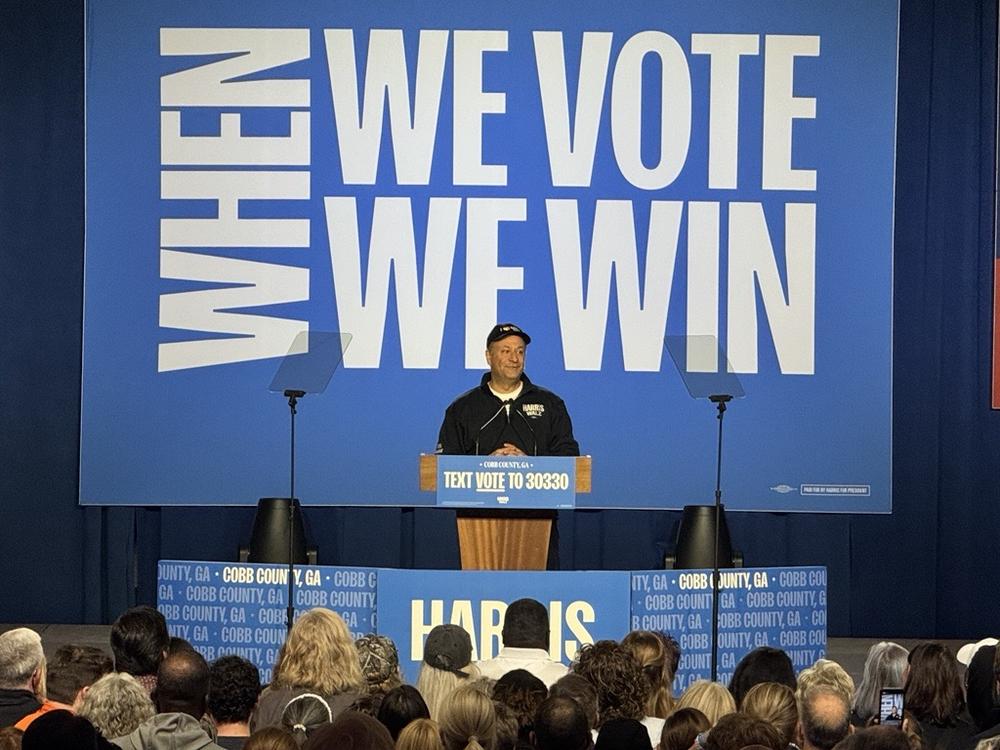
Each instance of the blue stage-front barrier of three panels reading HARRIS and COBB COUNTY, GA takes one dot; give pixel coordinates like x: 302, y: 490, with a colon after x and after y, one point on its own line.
x: 231, y: 608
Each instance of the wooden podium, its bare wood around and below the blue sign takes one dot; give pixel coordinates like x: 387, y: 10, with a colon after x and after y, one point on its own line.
x: 503, y: 539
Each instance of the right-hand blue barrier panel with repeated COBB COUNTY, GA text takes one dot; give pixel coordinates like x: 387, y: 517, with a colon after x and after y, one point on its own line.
x: 780, y: 607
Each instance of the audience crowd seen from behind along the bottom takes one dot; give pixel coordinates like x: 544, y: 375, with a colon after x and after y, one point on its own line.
x: 330, y: 691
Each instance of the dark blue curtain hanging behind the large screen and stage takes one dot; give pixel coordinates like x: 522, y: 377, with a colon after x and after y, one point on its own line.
x: 922, y: 571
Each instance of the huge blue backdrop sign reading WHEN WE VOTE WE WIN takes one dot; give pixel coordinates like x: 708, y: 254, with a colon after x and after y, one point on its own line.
x: 604, y: 175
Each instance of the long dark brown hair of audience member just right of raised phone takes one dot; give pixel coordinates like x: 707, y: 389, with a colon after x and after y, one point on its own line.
x: 933, y: 689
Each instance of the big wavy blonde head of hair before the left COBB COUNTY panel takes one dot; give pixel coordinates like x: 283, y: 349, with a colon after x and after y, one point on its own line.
x: 319, y: 655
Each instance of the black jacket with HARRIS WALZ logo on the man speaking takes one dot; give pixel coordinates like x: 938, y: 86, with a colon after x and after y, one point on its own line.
x: 537, y: 423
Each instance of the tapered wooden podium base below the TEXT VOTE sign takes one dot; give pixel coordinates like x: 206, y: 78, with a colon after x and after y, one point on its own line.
x: 500, y: 541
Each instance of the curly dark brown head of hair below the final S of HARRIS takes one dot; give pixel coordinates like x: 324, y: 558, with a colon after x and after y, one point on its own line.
x: 620, y: 685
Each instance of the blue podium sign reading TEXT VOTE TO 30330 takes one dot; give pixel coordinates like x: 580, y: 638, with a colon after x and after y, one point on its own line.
x: 506, y: 481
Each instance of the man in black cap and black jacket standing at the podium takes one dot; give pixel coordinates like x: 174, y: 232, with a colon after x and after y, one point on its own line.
x: 507, y: 414
